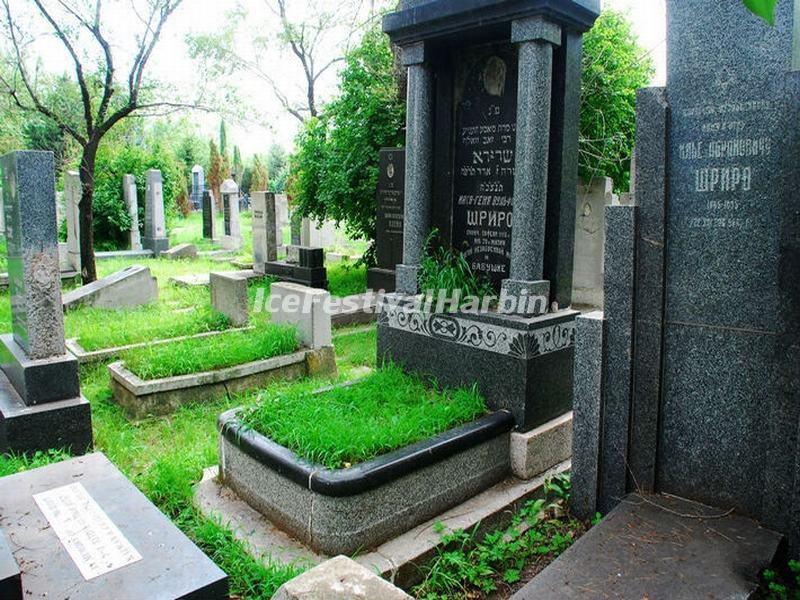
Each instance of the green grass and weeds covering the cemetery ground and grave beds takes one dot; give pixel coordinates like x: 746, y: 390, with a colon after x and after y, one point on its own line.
x: 165, y: 457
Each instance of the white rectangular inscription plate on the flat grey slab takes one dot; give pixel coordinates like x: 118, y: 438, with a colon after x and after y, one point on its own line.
x: 93, y: 542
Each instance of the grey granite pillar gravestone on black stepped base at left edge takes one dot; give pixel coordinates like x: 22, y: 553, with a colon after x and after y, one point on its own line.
x: 41, y: 406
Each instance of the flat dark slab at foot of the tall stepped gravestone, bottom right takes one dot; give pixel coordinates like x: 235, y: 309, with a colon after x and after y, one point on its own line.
x: 661, y: 548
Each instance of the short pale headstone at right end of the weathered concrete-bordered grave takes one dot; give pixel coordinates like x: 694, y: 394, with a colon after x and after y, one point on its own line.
x: 305, y: 307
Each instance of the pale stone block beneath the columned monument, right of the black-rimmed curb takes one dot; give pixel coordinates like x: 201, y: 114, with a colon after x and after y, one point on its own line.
x: 539, y: 450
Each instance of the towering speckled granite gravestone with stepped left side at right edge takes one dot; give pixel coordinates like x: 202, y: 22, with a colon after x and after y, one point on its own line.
x: 698, y: 389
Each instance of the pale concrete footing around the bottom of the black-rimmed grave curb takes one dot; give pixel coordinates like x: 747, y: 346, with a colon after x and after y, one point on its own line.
x: 398, y: 559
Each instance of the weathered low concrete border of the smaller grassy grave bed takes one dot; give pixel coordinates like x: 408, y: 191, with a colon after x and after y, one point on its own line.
x: 157, y: 397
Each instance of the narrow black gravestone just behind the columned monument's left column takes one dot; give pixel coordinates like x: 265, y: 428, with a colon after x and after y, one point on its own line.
x: 389, y: 222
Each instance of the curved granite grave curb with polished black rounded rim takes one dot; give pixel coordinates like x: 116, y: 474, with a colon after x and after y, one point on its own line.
x: 345, y: 510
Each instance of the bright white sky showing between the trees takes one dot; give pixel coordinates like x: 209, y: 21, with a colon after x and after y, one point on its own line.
x: 172, y: 64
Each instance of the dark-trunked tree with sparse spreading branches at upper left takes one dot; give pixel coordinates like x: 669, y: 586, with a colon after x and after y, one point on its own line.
x: 104, y: 101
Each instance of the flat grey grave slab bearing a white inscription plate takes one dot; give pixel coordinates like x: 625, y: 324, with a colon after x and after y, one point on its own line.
x: 82, y: 530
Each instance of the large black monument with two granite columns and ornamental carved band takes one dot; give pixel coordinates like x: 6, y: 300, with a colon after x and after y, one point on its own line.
x: 491, y: 165
